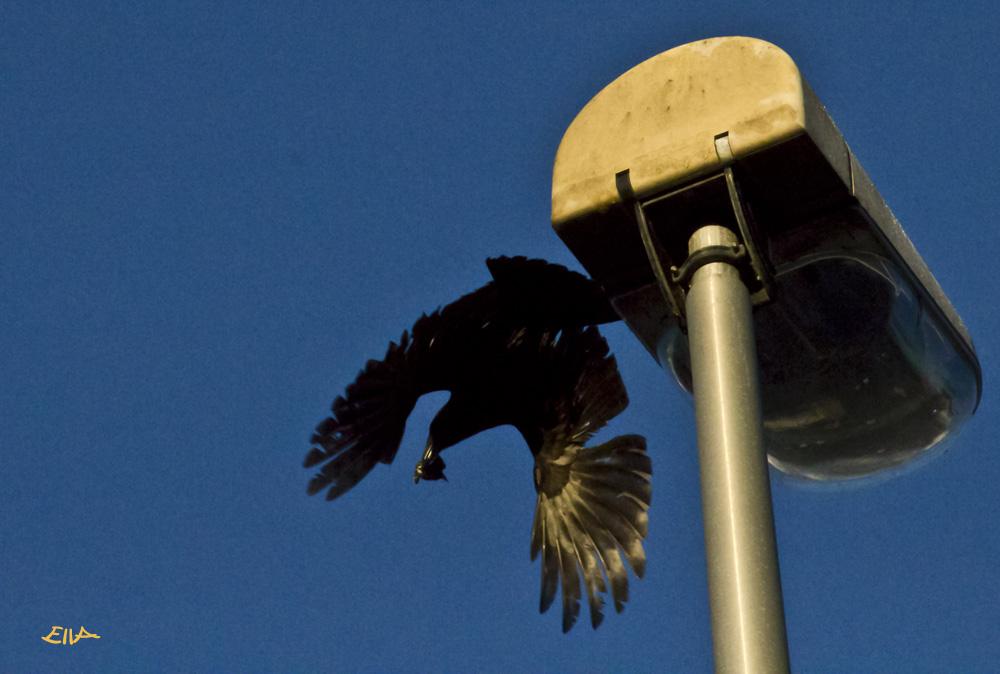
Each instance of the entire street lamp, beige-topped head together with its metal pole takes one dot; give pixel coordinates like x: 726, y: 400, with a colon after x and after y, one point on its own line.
x: 712, y: 196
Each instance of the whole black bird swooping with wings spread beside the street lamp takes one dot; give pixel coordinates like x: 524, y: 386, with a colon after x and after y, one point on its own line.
x: 517, y: 351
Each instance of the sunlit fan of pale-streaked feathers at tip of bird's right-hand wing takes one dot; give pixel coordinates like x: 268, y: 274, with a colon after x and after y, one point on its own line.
x: 589, y: 511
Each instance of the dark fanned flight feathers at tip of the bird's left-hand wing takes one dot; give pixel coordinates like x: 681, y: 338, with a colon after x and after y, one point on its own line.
x: 366, y: 426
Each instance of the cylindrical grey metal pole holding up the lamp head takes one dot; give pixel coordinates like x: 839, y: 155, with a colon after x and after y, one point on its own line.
x: 744, y: 583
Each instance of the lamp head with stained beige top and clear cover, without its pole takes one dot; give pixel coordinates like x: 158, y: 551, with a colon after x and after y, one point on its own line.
x: 864, y: 364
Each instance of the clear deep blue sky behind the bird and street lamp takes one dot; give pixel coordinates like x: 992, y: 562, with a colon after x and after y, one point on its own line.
x: 212, y: 214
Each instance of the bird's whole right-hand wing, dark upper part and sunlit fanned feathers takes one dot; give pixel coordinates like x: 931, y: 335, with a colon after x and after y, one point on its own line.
x: 592, y: 501
